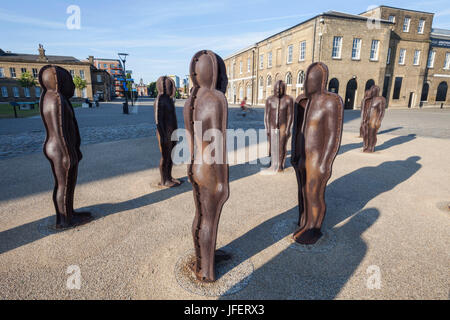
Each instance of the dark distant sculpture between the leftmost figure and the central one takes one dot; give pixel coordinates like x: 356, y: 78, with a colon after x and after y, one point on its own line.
x: 166, y: 124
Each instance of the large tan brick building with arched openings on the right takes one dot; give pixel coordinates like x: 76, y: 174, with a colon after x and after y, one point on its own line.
x: 385, y: 46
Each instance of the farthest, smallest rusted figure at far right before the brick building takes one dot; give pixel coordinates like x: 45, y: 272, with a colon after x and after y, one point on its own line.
x: 374, y: 116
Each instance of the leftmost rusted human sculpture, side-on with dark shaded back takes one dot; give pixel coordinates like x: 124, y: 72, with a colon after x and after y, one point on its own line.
x: 62, y: 143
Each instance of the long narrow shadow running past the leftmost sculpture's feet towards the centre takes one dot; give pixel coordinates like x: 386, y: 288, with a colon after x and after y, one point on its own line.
x: 27, y: 233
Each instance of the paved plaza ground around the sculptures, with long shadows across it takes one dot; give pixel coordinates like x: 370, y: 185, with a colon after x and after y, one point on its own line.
x: 387, y: 215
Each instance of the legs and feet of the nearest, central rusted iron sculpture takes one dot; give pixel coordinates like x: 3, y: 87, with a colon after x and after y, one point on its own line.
x: 204, y: 230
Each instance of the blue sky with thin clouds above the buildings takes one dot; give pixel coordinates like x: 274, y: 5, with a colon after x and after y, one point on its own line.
x: 162, y: 36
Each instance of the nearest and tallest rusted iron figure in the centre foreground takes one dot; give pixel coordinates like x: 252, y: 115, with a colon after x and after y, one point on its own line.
x: 207, y: 108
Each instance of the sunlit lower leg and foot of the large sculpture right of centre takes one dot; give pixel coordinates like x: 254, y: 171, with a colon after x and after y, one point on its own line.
x: 315, y: 207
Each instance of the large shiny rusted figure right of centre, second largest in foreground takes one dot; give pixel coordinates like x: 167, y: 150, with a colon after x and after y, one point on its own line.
x: 317, y: 132
